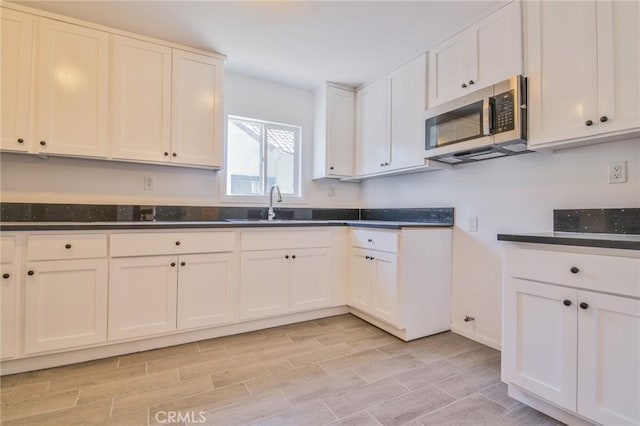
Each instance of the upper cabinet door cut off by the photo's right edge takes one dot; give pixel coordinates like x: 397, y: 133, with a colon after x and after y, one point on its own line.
x: 618, y: 65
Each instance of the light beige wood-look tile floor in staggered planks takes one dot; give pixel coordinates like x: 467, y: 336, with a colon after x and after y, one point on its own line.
x: 337, y: 370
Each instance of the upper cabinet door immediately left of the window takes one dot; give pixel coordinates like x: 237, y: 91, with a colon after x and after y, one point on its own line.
x: 196, y: 121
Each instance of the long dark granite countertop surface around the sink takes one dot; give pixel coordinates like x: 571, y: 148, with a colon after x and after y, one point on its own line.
x: 232, y: 223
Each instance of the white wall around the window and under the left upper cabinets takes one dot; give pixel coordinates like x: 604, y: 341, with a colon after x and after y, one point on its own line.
x: 71, y: 180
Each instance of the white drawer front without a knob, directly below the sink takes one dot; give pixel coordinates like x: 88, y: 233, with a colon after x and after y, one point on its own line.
x: 279, y: 240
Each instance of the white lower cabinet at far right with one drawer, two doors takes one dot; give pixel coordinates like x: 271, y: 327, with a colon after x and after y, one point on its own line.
x: 566, y: 338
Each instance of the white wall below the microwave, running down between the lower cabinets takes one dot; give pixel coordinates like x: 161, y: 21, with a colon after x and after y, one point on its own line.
x: 509, y: 195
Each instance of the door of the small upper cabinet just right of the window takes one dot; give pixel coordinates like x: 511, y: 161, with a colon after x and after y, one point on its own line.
x: 340, y: 132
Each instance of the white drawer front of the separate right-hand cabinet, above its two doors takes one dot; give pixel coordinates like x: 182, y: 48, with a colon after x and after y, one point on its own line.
x: 611, y: 274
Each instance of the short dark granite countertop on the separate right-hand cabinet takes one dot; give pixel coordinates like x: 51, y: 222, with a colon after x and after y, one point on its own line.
x: 603, y: 240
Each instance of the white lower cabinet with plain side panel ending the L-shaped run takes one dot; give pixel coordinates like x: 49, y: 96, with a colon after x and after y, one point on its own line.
x: 395, y: 287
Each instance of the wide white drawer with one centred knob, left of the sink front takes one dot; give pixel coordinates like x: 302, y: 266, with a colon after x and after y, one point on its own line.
x: 158, y: 243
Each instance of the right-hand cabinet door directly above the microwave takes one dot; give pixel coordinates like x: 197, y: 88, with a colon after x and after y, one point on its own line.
x: 497, y: 41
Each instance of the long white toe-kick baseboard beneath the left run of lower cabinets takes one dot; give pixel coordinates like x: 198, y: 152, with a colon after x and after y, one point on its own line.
x: 108, y: 349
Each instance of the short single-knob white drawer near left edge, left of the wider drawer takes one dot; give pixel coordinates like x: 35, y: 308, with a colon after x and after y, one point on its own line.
x: 71, y: 246
